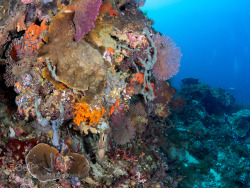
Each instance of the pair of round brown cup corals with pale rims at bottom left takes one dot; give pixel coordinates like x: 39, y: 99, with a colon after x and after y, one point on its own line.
x: 45, y: 162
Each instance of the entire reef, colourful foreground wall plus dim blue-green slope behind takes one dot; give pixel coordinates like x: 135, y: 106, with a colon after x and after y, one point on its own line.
x: 85, y: 101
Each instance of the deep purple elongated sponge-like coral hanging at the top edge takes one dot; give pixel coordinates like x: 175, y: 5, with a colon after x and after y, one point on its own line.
x: 86, y: 13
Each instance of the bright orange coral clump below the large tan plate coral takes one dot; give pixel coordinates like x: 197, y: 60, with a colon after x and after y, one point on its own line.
x: 86, y: 114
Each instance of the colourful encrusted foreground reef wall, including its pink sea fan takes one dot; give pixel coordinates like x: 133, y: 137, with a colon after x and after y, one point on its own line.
x: 84, y: 81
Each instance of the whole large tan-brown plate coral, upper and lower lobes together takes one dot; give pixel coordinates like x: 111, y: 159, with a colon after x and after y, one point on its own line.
x: 81, y: 66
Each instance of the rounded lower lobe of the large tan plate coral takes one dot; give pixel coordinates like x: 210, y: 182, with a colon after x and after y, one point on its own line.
x: 83, y: 68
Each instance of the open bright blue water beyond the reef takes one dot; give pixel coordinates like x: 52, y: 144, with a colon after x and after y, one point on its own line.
x: 214, y: 36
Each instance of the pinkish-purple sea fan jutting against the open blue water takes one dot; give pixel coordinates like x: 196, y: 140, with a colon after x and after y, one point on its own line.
x: 168, y: 57
